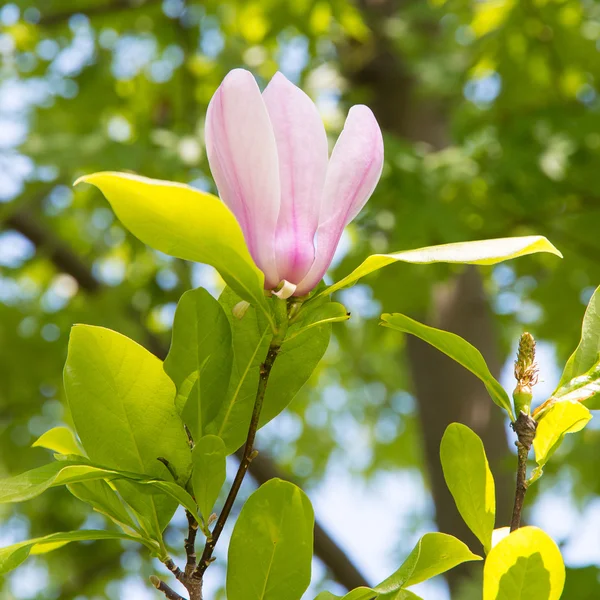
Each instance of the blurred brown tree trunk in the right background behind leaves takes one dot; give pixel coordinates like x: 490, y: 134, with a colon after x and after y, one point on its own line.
x: 445, y: 392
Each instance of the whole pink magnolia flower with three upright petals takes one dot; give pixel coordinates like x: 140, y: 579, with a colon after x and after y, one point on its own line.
x: 268, y: 155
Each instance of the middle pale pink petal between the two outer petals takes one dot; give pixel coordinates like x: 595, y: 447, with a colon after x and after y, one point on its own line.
x: 303, y: 154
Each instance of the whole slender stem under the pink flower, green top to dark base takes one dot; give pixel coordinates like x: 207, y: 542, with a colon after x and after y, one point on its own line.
x: 281, y: 317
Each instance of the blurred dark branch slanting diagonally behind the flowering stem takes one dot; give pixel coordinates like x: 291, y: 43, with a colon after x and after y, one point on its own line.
x: 262, y: 468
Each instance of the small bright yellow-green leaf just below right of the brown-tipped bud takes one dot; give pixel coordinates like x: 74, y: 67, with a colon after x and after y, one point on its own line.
x: 560, y: 419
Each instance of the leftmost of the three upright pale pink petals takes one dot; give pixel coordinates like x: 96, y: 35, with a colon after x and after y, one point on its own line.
x: 242, y: 154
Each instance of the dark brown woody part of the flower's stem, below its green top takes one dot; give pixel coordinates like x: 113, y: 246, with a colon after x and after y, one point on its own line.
x: 248, y: 455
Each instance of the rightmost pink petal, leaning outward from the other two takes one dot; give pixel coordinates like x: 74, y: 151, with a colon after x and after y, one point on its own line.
x: 353, y: 173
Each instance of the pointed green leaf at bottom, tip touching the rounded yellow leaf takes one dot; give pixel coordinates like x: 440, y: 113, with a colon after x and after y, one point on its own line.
x: 434, y: 553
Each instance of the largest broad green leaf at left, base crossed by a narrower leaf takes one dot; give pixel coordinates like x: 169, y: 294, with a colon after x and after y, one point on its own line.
x: 122, y: 403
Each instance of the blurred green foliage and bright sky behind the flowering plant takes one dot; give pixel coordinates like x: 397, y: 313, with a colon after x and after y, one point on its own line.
x: 491, y: 117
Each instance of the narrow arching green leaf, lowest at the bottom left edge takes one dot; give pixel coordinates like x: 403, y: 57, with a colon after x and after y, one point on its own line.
x: 12, y: 556
